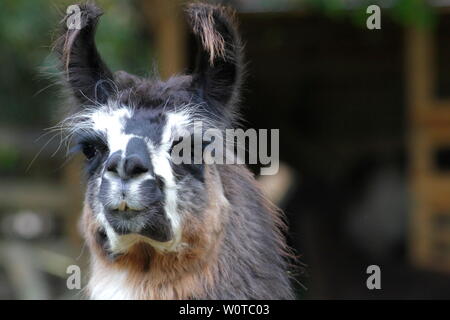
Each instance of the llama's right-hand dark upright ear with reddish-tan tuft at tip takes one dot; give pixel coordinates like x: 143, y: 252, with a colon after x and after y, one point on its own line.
x: 218, y: 69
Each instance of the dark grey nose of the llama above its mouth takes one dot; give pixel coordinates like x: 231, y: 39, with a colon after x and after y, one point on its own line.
x: 132, y: 166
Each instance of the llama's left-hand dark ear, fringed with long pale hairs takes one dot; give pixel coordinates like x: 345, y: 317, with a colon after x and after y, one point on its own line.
x: 86, y: 74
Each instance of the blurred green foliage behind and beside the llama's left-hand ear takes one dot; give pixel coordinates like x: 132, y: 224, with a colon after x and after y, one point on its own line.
x: 27, y: 30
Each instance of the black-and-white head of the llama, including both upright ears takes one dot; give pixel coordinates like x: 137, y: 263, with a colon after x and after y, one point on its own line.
x: 127, y: 127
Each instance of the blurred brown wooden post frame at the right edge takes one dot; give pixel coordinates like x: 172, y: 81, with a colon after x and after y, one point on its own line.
x: 429, y: 139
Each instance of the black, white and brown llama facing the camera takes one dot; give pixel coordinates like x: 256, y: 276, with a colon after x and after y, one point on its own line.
x: 155, y: 229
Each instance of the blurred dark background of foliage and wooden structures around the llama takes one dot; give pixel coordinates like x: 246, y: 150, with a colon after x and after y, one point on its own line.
x: 364, y: 119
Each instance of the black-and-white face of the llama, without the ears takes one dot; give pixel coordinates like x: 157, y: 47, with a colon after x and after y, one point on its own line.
x: 139, y: 193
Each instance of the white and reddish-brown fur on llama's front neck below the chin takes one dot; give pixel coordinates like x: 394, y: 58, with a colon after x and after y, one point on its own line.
x: 167, y: 277
